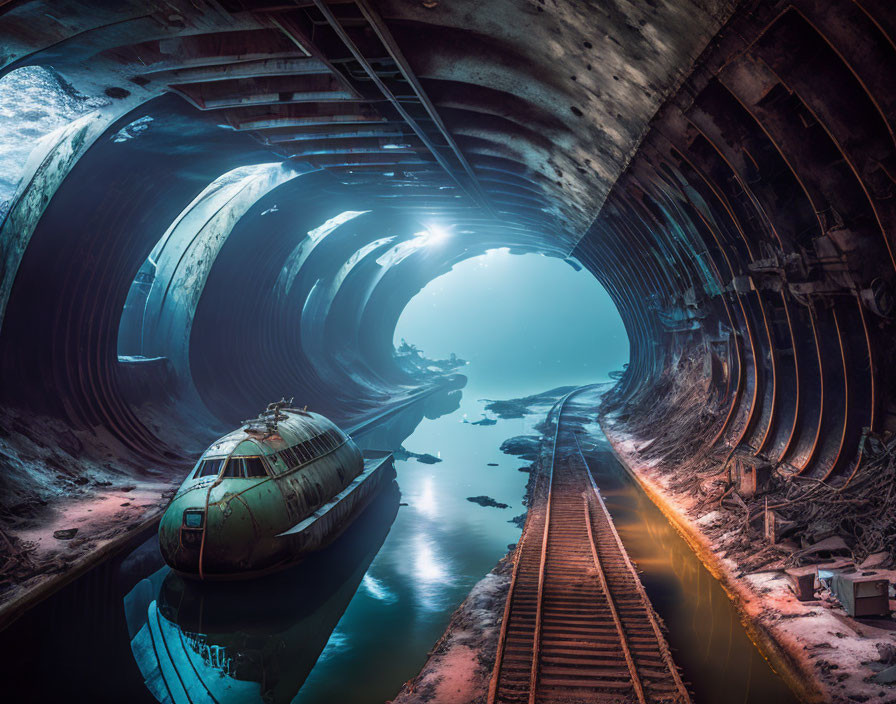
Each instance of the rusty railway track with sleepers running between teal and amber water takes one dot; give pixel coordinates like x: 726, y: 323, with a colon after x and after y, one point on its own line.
x: 578, y: 626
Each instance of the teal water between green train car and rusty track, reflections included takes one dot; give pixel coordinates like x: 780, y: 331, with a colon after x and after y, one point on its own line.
x: 354, y: 621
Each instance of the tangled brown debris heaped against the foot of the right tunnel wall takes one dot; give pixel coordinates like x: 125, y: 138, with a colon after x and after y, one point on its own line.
x: 782, y: 518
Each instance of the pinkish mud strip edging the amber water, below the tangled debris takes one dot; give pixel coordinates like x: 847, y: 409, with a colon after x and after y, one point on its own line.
x: 823, y: 654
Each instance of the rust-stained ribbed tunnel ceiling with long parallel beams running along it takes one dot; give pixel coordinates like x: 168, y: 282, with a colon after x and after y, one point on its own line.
x: 526, y: 111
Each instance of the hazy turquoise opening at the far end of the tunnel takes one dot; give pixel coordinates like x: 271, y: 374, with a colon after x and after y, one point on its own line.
x: 526, y: 323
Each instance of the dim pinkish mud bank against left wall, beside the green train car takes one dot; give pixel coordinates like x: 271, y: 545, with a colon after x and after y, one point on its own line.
x: 68, y: 501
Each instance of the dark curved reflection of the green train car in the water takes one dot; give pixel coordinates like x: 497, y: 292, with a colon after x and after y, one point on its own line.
x: 221, y: 643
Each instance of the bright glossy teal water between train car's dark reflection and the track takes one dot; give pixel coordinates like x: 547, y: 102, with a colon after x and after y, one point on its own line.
x: 439, y: 546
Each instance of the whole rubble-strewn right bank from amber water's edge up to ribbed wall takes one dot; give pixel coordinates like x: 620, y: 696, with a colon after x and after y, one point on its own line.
x: 759, y: 530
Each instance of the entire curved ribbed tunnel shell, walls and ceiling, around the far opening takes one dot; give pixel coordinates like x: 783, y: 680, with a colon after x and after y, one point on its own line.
x: 735, y: 162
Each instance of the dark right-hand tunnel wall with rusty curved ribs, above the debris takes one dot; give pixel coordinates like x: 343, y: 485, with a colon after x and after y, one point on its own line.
x: 763, y: 211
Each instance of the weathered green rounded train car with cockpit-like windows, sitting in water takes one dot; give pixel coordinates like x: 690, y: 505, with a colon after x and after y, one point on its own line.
x: 264, y: 496
